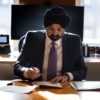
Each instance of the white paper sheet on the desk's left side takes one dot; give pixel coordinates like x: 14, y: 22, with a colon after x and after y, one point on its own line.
x: 18, y: 89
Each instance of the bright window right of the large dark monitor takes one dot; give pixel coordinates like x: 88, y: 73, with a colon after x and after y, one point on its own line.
x: 92, y: 21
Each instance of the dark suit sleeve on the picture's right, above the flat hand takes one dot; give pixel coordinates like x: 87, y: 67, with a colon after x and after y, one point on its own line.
x: 80, y: 68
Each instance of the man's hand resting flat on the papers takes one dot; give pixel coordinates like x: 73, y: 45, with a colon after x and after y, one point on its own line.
x: 60, y: 79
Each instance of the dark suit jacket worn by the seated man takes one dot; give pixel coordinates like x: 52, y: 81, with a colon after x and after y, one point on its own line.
x: 32, y: 54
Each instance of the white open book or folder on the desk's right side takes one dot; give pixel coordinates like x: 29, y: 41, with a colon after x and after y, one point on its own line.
x: 85, y: 85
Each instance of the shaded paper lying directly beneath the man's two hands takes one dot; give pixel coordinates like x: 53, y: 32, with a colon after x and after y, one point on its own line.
x: 47, y: 84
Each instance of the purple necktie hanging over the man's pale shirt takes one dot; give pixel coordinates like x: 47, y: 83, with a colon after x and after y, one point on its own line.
x: 52, y: 62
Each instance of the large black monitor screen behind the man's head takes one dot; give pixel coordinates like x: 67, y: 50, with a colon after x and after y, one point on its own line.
x: 30, y: 17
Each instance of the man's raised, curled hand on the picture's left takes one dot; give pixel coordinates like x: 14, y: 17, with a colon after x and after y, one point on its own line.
x: 33, y: 73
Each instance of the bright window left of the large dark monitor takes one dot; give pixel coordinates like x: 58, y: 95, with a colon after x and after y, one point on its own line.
x: 5, y: 16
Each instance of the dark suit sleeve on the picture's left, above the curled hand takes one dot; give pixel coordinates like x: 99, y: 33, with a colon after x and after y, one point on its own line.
x: 21, y: 63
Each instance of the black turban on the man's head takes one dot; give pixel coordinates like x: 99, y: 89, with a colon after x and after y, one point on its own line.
x: 56, y: 15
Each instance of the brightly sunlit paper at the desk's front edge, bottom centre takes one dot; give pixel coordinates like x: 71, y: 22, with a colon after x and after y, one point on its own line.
x: 51, y: 96
